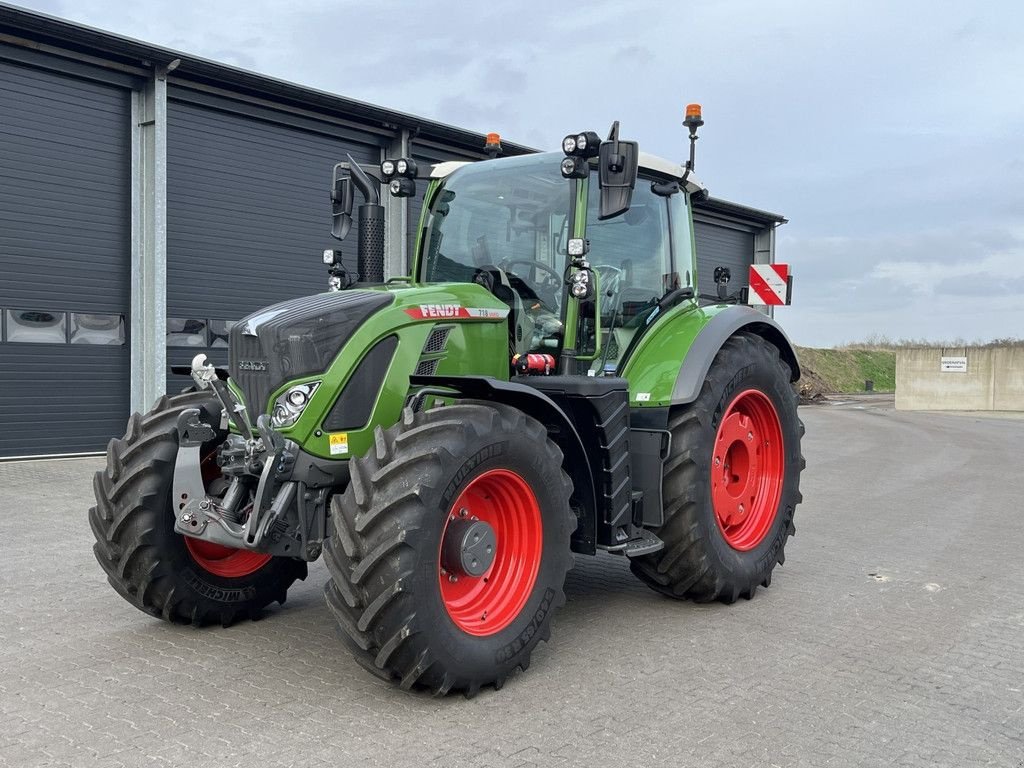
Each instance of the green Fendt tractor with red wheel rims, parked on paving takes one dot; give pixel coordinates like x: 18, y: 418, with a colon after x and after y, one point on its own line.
x: 547, y: 381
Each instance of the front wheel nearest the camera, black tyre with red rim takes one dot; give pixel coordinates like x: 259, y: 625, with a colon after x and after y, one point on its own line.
x: 450, y: 547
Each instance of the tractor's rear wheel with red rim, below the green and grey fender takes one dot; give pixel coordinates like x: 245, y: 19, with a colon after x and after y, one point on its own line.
x: 732, y: 482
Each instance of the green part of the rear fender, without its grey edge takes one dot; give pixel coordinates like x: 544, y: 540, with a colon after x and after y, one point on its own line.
x: 654, y: 367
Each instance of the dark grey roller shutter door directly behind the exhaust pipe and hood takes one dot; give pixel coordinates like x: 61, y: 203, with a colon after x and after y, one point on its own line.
x: 248, y: 218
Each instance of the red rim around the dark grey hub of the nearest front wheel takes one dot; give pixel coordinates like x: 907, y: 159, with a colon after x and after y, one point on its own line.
x: 487, y: 605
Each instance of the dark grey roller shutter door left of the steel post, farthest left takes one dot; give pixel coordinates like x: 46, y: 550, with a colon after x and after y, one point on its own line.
x: 65, y: 235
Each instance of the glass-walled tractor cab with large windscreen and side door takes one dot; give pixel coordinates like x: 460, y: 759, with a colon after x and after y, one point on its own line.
x: 506, y: 226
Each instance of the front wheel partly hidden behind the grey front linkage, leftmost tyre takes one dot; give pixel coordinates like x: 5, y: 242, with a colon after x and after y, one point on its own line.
x: 158, y: 571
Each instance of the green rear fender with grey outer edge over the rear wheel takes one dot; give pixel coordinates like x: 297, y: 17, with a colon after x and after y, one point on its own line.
x: 672, y: 360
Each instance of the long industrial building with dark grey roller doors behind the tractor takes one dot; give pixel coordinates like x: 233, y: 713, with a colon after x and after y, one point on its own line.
x: 150, y: 198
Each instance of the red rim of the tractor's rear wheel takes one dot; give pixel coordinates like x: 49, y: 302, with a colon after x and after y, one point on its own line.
x: 748, y: 471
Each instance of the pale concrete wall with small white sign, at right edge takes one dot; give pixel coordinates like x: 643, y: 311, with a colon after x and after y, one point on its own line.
x: 994, y: 380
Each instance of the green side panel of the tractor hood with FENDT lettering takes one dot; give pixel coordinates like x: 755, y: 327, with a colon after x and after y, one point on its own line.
x: 476, y: 348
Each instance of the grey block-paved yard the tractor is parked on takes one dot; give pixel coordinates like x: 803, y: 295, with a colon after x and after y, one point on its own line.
x: 893, y: 636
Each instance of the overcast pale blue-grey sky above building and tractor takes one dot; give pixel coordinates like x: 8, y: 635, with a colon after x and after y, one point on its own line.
x: 890, y: 134
